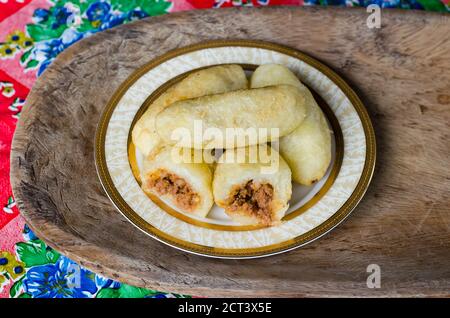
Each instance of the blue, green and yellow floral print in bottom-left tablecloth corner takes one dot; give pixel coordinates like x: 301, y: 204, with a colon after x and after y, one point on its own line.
x: 46, y: 274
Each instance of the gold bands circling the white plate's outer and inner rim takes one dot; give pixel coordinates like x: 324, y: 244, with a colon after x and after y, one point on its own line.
x: 298, y: 241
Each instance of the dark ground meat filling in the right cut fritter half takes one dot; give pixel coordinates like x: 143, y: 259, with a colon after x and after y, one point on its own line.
x: 253, y: 198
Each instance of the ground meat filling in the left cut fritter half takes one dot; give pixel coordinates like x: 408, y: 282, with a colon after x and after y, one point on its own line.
x: 166, y: 183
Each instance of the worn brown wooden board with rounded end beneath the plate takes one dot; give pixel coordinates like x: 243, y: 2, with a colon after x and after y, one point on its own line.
x: 401, y: 72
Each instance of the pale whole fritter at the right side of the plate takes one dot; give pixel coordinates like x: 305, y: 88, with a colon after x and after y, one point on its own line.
x: 307, y: 149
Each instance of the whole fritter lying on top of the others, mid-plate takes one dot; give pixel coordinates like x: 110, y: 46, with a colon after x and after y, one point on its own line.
x: 279, y: 109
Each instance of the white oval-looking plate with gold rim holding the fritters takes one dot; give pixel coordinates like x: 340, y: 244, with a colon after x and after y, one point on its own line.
x: 313, y: 210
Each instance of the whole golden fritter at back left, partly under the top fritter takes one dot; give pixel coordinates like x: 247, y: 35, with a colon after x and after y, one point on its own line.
x: 212, y: 80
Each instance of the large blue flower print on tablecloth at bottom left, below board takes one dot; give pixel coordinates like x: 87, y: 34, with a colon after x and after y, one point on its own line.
x: 64, y: 279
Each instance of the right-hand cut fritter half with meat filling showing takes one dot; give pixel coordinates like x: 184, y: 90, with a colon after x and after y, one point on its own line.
x: 249, y: 194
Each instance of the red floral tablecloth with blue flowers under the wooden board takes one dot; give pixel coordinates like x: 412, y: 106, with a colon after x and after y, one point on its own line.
x: 32, y: 34
